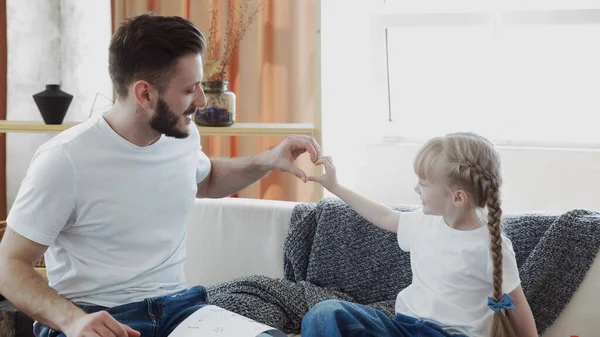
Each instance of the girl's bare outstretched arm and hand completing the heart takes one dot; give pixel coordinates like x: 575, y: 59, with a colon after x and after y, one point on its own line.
x: 374, y: 212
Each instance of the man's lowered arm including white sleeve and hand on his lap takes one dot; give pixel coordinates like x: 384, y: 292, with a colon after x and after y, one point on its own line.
x: 37, y: 217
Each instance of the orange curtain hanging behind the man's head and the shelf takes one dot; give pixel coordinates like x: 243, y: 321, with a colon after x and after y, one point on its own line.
x: 271, y: 75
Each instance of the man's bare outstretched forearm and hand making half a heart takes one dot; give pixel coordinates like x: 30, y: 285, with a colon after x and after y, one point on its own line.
x: 230, y: 175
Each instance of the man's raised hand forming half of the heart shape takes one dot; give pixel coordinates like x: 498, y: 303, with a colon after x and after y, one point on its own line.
x: 290, y: 149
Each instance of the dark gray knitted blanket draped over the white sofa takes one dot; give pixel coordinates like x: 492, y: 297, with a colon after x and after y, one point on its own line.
x: 333, y: 253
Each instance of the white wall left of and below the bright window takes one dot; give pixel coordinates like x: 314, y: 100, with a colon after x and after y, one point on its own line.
x: 534, y: 178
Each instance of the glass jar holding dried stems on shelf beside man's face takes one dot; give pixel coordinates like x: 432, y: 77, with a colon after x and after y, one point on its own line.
x: 220, y: 106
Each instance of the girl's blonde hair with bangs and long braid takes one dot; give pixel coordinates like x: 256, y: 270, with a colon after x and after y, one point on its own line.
x: 470, y: 162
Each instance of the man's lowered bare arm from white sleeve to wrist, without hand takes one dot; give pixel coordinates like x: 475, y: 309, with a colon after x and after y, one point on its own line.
x: 26, y: 289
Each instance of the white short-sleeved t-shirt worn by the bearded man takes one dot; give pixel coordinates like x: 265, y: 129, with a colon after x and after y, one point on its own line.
x: 112, y: 213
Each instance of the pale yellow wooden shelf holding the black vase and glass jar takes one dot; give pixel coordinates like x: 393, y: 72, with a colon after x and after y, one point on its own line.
x: 239, y: 129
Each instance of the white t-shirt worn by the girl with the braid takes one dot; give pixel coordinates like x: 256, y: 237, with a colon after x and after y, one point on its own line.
x: 452, y: 274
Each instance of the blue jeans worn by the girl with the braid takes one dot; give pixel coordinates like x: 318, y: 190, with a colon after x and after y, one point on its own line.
x: 339, y: 318
